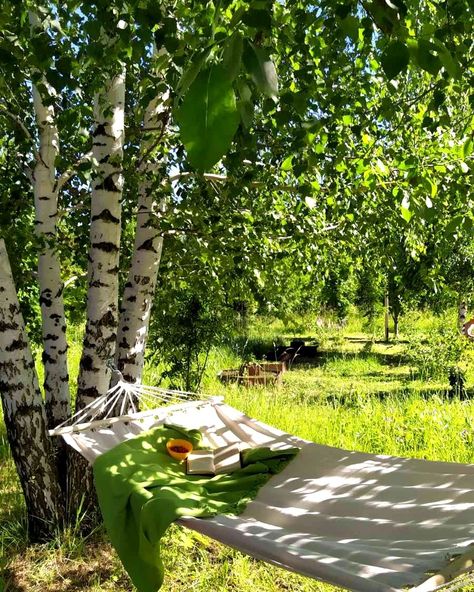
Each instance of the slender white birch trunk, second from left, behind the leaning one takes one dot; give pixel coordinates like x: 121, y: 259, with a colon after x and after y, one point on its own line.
x: 56, y: 377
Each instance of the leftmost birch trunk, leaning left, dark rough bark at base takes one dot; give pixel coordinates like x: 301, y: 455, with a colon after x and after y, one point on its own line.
x: 24, y: 413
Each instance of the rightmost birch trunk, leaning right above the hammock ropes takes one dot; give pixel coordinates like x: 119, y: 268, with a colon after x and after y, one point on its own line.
x: 137, y: 298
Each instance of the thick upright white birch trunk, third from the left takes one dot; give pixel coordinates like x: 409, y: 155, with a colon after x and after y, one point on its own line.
x: 102, y: 296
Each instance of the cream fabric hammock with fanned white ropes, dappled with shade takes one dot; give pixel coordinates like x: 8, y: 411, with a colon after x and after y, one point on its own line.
x: 361, y: 521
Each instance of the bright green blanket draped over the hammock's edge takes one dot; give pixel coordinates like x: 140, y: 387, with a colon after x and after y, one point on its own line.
x: 142, y: 490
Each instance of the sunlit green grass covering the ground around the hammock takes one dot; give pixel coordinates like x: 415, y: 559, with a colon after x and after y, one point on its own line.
x: 359, y: 395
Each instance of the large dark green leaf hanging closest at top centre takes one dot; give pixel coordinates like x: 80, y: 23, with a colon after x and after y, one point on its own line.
x: 208, y: 118
